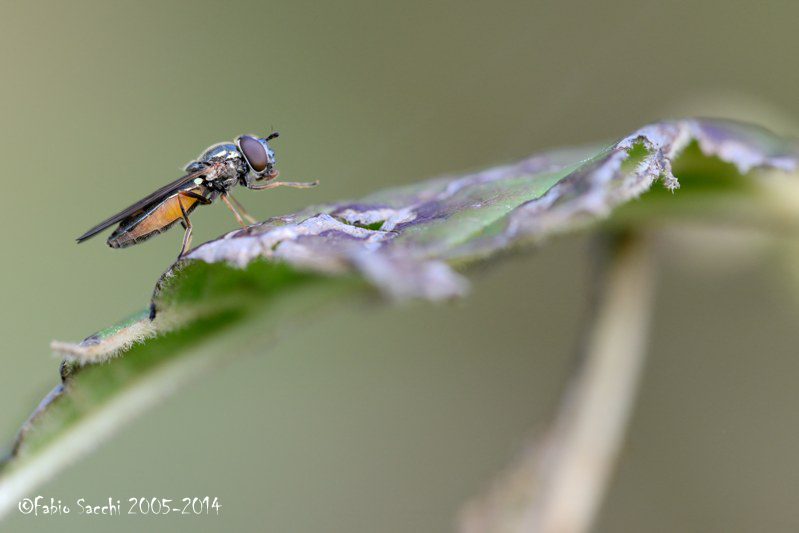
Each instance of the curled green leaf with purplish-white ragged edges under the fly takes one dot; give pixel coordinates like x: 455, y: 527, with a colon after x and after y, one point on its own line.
x: 231, y: 295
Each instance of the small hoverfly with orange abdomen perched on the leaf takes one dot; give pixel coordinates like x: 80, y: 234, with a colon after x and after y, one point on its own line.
x: 249, y: 162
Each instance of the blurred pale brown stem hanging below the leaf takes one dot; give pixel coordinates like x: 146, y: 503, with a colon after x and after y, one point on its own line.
x: 559, y: 483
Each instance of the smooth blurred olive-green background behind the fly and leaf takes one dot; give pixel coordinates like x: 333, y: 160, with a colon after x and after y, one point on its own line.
x: 389, y: 419
